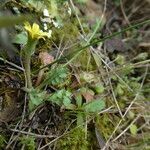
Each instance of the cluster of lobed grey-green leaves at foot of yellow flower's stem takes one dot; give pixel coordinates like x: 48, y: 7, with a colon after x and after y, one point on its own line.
x: 55, y: 77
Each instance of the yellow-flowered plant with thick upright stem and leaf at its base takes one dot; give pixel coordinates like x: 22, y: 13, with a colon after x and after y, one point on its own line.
x: 34, y: 34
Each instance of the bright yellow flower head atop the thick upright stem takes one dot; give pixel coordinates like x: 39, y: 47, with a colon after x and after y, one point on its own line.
x: 35, y: 32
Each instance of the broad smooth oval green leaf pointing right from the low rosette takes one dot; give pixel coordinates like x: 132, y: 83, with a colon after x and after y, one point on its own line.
x: 94, y: 106
